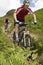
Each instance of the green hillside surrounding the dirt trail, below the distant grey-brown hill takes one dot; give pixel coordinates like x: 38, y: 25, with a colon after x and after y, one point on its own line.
x: 11, y: 54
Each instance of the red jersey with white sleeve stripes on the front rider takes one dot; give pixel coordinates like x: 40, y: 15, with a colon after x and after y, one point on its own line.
x: 21, y: 12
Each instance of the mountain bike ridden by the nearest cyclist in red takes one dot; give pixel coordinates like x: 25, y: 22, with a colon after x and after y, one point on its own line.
x: 24, y: 36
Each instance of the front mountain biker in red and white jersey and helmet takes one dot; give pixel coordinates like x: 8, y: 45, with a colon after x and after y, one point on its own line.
x: 19, y: 15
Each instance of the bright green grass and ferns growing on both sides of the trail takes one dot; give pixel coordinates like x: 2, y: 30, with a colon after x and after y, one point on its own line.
x: 11, y: 54
